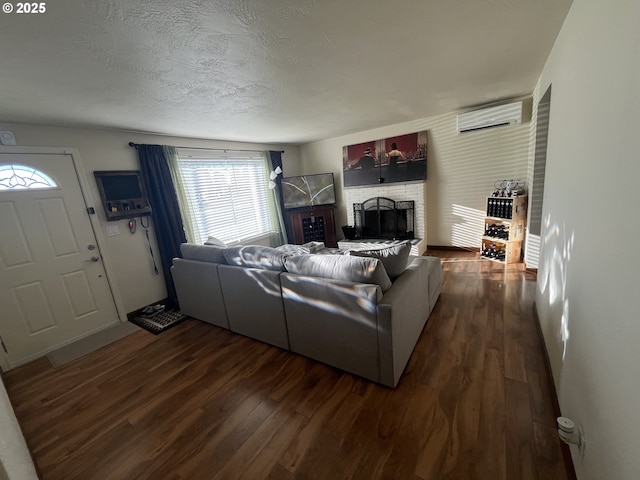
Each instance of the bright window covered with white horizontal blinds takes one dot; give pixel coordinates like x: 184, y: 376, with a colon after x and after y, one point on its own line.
x: 228, y: 197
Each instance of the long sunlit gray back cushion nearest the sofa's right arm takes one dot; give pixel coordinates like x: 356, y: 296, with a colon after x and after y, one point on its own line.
x: 340, y: 267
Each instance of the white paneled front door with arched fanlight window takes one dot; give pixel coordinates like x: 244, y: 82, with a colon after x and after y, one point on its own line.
x: 53, y: 286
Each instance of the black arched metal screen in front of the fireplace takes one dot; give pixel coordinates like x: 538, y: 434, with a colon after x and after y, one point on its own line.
x: 381, y: 217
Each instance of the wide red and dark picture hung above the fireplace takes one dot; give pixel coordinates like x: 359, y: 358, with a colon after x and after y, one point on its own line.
x: 396, y: 159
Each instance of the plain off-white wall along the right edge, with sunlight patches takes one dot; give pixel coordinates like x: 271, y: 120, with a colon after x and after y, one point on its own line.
x: 589, y: 269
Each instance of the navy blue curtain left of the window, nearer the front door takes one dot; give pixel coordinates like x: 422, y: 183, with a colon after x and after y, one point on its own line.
x: 167, y: 221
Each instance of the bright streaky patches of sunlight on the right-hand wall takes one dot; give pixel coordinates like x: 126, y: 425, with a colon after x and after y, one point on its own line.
x: 552, y: 285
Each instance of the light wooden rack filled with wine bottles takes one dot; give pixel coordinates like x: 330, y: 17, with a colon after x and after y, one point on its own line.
x: 505, y: 225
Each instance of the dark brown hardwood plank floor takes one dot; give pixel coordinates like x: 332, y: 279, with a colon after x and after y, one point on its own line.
x: 198, y: 402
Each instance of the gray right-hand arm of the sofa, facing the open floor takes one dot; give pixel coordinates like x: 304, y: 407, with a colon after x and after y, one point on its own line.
x: 403, y: 313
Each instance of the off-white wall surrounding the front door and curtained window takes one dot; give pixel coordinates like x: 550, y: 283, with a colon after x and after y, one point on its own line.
x: 108, y: 150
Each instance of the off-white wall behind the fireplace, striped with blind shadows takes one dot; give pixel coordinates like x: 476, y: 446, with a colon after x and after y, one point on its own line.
x: 461, y: 170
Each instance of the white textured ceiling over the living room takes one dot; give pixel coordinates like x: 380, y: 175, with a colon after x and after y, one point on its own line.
x: 289, y: 71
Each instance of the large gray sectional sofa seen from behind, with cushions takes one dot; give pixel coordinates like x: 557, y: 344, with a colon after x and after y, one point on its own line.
x: 361, y: 312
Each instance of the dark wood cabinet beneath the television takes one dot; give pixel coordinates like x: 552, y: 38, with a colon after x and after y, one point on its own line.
x: 315, y: 224
